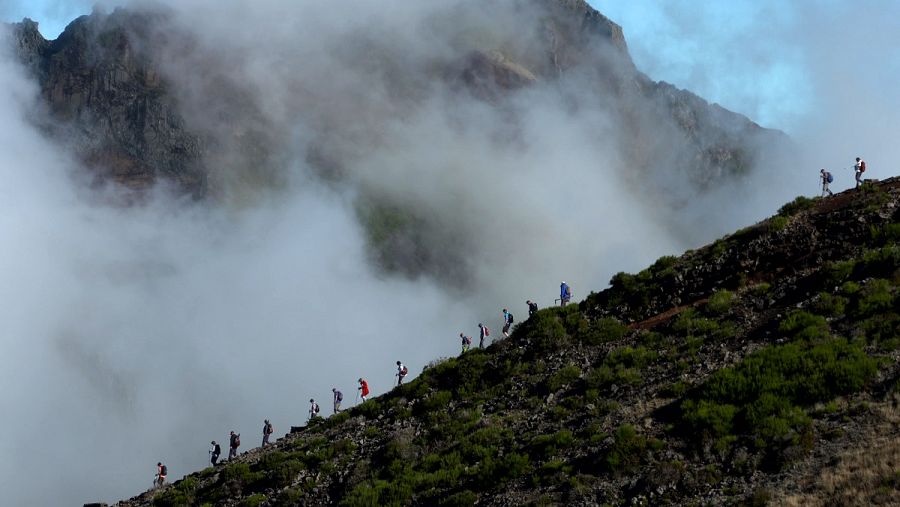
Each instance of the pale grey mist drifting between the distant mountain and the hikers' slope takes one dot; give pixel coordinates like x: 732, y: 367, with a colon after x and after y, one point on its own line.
x: 138, y: 334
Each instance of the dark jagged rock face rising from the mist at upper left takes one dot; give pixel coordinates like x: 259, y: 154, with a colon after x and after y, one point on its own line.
x: 108, y: 102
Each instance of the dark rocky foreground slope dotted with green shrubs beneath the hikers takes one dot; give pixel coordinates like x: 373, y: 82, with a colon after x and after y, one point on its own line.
x: 761, y: 367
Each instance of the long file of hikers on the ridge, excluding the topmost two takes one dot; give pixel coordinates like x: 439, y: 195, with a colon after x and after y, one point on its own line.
x: 362, y: 391
